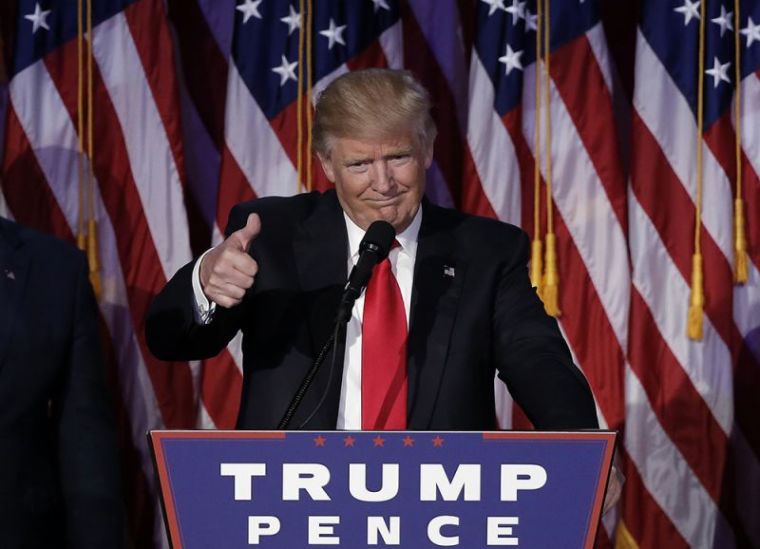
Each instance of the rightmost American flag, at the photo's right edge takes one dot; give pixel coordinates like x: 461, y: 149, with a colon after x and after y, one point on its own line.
x: 692, y: 424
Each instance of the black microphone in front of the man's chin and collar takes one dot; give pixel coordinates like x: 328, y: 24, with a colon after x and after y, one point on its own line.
x: 373, y: 249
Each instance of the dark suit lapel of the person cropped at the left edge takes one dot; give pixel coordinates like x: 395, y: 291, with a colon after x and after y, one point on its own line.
x: 14, y: 264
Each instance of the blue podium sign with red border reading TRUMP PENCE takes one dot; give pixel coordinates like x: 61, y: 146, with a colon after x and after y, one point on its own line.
x: 304, y: 489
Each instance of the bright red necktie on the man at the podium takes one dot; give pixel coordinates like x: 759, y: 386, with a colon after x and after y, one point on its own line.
x: 383, y: 352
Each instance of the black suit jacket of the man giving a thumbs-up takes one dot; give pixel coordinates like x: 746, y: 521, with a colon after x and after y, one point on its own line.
x: 463, y: 328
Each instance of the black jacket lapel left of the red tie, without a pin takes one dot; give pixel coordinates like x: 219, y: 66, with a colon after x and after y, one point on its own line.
x: 321, y: 261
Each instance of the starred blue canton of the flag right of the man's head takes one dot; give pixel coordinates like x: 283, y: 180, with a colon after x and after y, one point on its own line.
x: 506, y: 40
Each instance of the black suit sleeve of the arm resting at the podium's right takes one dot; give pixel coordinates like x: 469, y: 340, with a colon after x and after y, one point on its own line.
x: 532, y: 356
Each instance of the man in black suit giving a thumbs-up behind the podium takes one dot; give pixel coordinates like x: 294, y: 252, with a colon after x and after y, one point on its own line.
x: 279, y: 275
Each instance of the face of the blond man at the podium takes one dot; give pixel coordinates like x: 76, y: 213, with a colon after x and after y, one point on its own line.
x: 378, y: 179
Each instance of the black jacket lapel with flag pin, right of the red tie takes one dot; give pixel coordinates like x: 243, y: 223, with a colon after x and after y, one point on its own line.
x: 438, y: 276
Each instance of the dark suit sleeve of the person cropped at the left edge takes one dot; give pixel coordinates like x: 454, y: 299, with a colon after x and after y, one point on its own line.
x: 87, y: 444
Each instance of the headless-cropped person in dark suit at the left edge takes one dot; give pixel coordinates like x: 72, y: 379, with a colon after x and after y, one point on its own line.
x: 59, y: 475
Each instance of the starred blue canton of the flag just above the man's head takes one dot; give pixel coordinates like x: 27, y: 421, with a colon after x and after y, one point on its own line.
x: 265, y: 44
